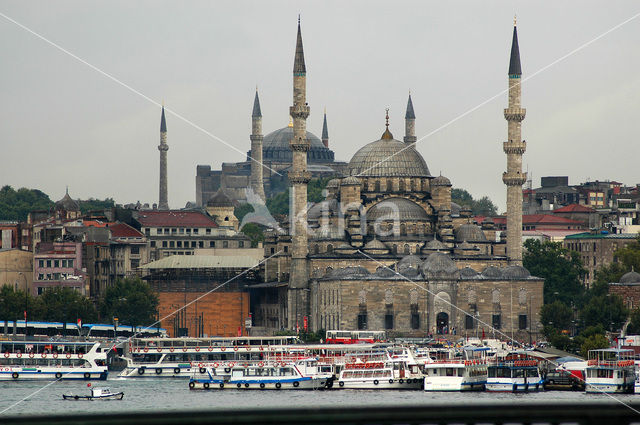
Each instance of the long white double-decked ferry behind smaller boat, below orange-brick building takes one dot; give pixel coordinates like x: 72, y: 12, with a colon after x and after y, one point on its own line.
x: 181, y: 357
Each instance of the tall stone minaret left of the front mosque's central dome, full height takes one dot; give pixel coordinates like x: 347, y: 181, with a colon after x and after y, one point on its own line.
x: 298, y: 295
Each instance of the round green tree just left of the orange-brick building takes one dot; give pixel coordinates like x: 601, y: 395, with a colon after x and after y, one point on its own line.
x: 132, y: 301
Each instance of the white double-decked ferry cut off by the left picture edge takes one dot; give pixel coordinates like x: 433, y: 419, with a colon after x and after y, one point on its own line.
x: 46, y: 360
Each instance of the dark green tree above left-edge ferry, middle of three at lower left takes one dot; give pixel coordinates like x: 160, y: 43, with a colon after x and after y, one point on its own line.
x: 66, y: 305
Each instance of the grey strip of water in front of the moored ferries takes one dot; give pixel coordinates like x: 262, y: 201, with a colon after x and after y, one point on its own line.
x: 173, y: 394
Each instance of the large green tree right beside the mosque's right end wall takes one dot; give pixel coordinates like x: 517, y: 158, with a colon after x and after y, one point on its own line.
x: 561, y: 269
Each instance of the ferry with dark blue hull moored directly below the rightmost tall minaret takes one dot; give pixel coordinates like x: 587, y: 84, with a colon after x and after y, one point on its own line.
x: 517, y: 372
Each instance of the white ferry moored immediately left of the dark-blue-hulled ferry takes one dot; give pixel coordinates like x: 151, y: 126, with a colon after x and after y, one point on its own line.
x: 466, y: 374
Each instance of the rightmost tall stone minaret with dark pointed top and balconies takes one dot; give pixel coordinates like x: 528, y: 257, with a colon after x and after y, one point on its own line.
x: 514, y: 147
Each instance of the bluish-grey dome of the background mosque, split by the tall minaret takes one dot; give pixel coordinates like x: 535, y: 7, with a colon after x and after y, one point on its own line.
x: 275, y: 147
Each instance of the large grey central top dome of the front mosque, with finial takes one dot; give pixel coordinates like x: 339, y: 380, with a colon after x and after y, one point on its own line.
x: 388, y: 157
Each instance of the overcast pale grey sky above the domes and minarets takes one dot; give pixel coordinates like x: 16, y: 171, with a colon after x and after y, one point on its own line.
x: 62, y: 123
